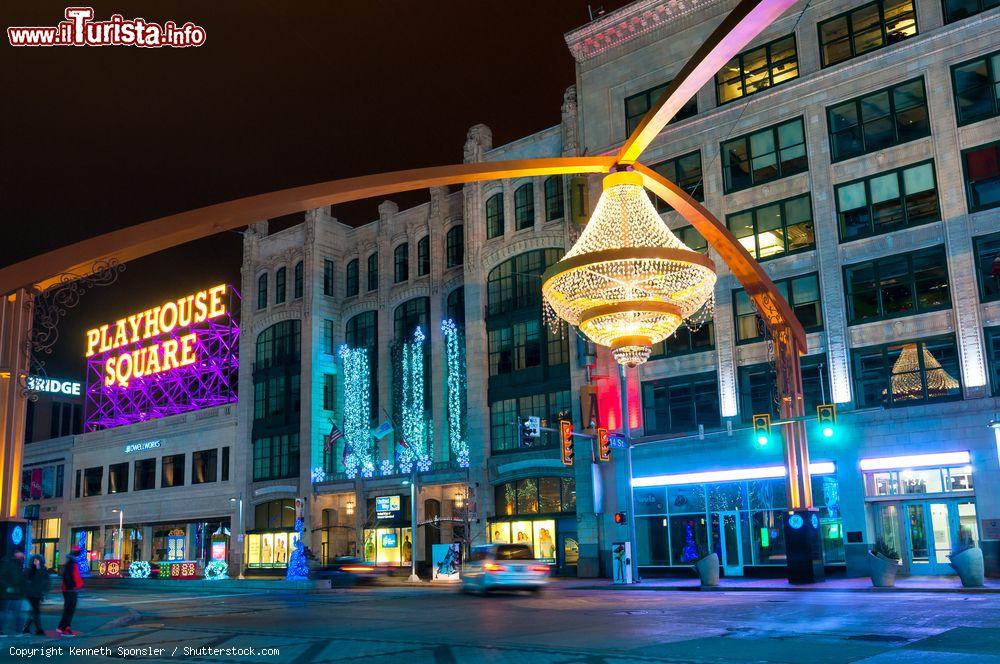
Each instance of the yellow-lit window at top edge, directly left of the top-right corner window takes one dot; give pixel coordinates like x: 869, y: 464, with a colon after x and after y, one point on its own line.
x: 865, y: 29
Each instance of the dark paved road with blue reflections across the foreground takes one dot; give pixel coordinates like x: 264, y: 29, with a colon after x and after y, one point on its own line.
x: 404, y: 626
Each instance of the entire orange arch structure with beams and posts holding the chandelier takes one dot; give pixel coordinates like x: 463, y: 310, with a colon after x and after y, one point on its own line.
x: 747, y: 20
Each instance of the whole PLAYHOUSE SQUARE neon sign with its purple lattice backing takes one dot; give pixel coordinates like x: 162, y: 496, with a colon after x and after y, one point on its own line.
x: 175, y: 357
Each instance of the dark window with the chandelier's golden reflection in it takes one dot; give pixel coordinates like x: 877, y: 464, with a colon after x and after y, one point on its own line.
x: 907, y: 373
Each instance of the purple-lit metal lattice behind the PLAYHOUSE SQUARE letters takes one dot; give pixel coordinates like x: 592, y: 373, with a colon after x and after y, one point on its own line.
x: 210, y: 381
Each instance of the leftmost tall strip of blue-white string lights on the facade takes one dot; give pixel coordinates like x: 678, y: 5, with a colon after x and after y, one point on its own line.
x: 361, y: 454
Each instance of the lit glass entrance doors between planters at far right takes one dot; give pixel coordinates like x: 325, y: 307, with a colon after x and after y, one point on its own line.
x: 925, y: 532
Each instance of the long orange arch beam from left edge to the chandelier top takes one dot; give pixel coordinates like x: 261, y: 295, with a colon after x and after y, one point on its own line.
x: 152, y: 236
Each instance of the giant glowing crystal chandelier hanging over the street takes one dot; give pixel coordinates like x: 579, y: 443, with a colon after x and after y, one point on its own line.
x: 628, y: 282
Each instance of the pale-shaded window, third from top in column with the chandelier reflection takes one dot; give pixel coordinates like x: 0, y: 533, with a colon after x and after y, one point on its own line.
x: 887, y: 202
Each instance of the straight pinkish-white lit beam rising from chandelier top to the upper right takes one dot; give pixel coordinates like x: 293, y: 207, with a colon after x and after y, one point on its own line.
x: 747, y: 20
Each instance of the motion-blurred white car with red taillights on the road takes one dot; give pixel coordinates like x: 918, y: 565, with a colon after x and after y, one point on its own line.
x: 503, y: 566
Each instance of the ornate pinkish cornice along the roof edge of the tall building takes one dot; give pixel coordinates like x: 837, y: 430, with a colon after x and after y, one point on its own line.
x: 623, y: 25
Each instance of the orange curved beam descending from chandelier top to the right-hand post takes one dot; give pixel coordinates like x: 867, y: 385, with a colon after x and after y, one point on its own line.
x: 774, y: 309
